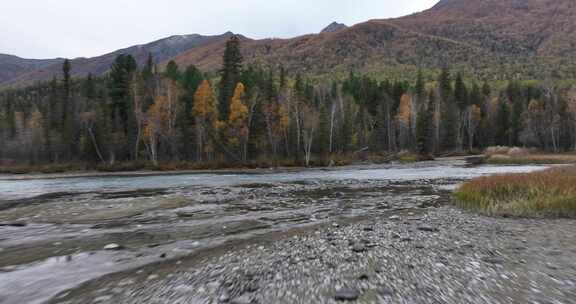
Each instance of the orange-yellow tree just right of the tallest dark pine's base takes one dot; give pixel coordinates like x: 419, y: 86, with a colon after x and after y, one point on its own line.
x: 238, y: 121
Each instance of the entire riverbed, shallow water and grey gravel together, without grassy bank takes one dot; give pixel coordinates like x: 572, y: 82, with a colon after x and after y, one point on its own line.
x: 376, y: 235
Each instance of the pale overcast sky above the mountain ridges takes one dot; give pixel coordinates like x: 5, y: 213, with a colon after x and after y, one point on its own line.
x: 74, y: 28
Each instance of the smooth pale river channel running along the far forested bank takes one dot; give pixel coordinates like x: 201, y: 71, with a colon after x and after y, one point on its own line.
x: 18, y: 189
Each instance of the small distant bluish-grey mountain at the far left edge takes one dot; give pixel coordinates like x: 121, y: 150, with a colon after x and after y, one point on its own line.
x: 12, y: 66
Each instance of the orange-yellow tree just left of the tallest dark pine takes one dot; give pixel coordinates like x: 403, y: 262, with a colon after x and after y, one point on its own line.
x: 206, y: 116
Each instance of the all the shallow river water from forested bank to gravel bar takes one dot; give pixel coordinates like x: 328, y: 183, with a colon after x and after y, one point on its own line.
x: 53, y: 231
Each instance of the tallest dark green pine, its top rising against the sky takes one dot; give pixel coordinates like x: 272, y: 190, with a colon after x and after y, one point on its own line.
x: 230, y: 75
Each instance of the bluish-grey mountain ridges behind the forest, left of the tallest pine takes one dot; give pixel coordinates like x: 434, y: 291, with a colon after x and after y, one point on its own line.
x: 161, y: 50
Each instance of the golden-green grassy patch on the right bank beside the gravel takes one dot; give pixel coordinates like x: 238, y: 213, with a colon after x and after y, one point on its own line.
x: 548, y: 193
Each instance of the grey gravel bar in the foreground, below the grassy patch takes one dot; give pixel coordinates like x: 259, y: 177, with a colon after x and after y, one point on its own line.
x: 437, y: 256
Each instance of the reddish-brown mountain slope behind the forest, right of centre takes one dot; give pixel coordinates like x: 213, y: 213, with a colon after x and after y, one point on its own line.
x: 531, y: 35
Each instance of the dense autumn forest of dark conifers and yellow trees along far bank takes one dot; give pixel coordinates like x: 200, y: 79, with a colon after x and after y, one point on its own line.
x: 246, y: 115
